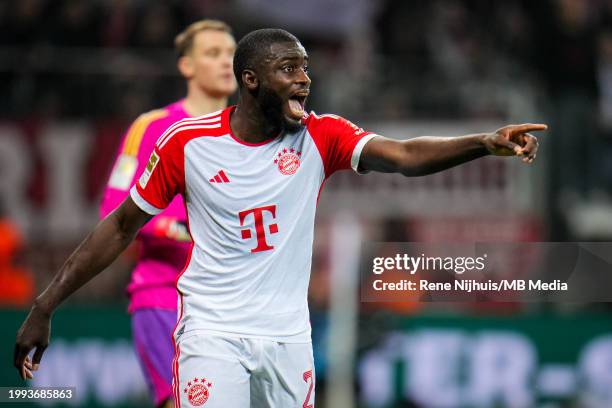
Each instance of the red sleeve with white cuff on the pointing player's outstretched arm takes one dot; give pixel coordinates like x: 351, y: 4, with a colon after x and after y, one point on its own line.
x: 339, y: 141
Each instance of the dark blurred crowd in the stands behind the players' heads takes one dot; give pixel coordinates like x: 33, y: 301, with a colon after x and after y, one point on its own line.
x: 396, y: 59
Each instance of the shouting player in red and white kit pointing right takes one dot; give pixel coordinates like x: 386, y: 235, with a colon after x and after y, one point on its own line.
x: 251, y: 175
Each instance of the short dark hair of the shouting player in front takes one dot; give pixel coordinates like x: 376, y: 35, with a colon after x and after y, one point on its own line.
x: 253, y: 47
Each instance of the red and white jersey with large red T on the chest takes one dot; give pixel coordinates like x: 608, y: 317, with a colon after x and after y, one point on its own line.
x: 251, y: 211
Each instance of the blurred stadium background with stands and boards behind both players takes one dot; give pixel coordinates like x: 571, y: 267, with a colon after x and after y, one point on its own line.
x: 73, y: 74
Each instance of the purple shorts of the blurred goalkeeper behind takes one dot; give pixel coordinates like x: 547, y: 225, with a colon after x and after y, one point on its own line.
x: 152, y: 332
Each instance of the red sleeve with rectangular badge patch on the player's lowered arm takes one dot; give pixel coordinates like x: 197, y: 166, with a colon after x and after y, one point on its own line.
x: 162, y: 179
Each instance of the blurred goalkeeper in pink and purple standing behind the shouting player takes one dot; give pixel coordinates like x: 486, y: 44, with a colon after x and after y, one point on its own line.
x: 205, y: 50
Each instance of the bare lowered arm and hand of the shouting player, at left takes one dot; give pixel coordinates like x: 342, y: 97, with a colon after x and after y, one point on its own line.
x: 101, y: 247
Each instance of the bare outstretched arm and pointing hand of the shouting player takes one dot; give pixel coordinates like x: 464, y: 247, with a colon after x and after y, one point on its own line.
x: 426, y: 155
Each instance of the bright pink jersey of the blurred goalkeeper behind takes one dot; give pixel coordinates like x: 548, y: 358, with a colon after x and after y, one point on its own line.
x: 153, y: 281
